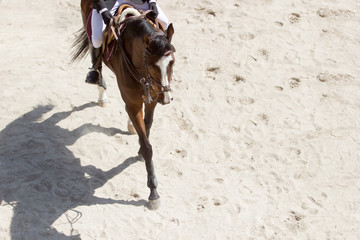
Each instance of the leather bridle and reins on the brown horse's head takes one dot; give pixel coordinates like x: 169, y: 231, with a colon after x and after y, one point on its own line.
x: 146, y: 81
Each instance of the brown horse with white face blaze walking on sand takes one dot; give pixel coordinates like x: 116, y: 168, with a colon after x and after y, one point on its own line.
x: 142, y: 63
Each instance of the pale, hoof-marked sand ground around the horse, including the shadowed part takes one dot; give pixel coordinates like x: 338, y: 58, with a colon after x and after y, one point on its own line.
x: 262, y: 140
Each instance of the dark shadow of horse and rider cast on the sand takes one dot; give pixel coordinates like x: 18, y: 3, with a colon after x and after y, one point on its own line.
x: 42, y: 179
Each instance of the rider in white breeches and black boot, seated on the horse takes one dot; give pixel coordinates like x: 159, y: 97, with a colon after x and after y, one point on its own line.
x: 102, y: 14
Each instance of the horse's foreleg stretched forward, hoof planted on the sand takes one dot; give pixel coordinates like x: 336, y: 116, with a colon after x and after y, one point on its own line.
x: 136, y: 116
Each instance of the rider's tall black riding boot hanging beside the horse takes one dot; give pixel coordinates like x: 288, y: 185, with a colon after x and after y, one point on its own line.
x: 94, y: 76
